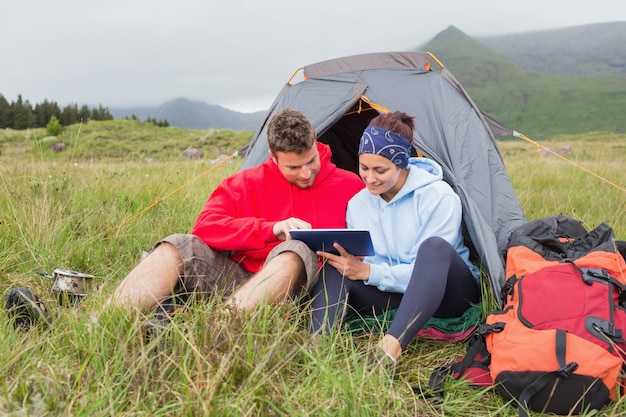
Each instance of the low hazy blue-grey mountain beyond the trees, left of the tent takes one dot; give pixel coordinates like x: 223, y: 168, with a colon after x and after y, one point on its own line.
x: 190, y: 114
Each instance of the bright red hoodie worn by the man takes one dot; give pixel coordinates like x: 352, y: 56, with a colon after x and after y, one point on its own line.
x: 240, y: 214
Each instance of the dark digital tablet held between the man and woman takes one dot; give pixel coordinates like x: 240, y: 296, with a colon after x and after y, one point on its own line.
x: 357, y: 242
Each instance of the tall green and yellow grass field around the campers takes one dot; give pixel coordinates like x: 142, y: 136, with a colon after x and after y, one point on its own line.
x: 96, y: 212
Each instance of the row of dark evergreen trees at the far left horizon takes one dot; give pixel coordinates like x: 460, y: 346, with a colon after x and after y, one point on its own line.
x: 21, y: 114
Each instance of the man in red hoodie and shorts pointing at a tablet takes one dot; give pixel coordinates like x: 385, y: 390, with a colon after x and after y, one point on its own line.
x: 240, y: 243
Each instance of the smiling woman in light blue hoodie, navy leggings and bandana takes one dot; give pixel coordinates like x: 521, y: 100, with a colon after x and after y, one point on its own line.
x: 421, y: 265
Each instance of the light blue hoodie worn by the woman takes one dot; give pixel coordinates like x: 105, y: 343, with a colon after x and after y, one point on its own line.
x: 425, y: 206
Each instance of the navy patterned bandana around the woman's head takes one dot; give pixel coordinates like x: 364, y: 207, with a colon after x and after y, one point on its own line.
x: 391, y: 145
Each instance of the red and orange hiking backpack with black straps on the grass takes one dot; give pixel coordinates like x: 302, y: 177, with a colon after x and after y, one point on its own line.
x: 558, y: 345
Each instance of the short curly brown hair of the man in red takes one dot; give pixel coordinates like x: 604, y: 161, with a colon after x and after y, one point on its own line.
x: 290, y: 131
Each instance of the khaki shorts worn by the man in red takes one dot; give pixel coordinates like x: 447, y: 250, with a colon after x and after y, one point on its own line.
x: 206, y: 271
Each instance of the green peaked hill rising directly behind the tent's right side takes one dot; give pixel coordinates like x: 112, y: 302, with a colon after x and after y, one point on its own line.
x: 537, y: 104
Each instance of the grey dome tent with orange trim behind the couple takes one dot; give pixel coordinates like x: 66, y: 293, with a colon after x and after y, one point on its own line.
x: 340, y: 96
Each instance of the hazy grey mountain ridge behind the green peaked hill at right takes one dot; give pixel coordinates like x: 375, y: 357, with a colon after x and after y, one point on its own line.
x: 596, y: 50
